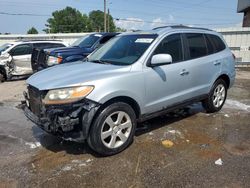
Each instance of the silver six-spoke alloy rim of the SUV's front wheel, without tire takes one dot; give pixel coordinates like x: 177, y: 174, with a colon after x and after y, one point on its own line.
x: 116, y: 129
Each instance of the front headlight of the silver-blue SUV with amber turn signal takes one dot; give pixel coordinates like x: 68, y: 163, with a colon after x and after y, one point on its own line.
x: 67, y: 95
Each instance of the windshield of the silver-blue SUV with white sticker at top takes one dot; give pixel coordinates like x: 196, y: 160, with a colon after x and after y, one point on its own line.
x: 123, y: 50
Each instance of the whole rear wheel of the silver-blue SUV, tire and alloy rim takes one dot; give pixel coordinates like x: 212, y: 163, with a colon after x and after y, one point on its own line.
x: 219, y: 91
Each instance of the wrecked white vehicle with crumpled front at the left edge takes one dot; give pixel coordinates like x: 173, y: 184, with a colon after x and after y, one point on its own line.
x: 15, y: 59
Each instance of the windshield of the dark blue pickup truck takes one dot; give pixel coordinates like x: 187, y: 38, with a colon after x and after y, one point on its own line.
x: 87, y: 41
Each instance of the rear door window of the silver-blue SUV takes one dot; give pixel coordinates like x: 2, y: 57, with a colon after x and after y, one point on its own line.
x: 196, y: 45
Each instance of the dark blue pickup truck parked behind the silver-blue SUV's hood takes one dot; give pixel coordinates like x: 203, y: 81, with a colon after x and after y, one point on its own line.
x: 80, y: 49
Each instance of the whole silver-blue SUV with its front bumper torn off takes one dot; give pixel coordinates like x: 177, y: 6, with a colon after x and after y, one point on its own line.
x: 133, y: 77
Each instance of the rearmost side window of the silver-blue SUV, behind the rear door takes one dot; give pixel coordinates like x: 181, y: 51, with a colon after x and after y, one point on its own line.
x: 214, y: 43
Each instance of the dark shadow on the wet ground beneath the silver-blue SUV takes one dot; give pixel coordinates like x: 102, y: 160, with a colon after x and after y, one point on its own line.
x: 56, y: 144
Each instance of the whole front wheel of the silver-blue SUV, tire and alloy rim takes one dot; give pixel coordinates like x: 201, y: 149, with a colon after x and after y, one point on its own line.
x: 113, y: 129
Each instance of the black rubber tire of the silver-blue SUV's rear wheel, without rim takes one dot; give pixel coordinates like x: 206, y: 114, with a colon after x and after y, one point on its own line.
x: 208, y: 103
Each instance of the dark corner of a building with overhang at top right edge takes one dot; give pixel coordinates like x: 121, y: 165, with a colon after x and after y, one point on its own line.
x: 244, y: 7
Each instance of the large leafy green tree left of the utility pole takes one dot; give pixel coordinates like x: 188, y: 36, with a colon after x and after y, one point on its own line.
x: 68, y: 20
